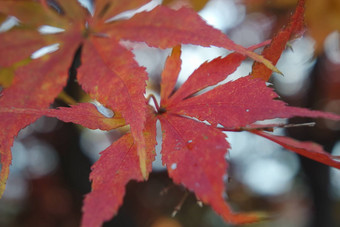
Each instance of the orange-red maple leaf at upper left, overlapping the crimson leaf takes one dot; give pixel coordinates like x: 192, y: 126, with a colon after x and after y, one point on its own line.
x: 108, y: 72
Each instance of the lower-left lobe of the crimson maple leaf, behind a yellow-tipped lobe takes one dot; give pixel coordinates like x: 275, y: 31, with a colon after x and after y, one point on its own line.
x: 117, y: 165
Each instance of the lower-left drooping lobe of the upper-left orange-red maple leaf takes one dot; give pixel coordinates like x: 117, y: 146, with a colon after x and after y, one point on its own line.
x: 34, y: 86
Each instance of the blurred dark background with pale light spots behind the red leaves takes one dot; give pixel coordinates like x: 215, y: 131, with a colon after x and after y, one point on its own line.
x: 49, y: 175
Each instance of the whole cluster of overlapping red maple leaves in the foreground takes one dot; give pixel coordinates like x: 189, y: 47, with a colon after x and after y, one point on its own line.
x: 194, y: 143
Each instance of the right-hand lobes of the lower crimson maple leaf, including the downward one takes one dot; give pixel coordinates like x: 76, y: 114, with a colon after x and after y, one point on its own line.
x: 191, y: 147
